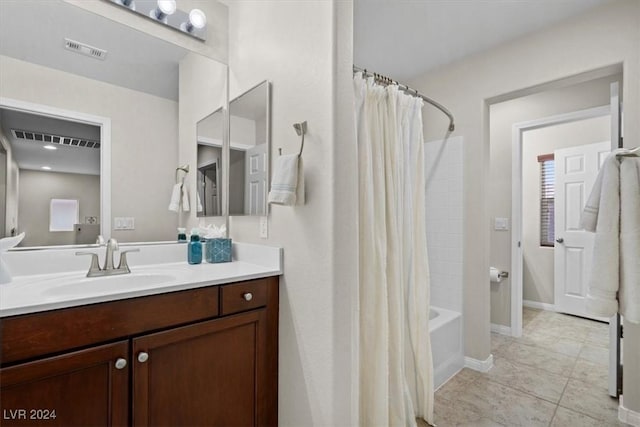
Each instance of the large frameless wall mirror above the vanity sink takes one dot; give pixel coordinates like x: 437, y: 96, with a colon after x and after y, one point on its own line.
x: 89, y: 111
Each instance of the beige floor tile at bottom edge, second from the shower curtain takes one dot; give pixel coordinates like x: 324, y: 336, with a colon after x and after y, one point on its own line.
x: 506, y: 405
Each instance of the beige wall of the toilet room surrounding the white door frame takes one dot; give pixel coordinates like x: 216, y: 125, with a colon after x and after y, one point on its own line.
x: 503, y: 116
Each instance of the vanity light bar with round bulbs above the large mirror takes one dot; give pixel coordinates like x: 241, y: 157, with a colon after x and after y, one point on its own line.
x: 166, y: 12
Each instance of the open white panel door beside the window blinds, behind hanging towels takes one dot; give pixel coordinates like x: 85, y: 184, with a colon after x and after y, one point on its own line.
x: 576, y: 169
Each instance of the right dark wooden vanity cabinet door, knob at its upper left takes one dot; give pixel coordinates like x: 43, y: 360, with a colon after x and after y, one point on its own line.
x: 206, y: 374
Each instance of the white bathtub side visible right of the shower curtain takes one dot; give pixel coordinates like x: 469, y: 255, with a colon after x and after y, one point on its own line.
x: 445, y: 328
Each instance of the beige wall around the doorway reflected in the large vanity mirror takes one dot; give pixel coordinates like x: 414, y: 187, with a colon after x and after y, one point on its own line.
x: 140, y: 124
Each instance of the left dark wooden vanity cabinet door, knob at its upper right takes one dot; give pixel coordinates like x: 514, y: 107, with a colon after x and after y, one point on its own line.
x: 83, y: 388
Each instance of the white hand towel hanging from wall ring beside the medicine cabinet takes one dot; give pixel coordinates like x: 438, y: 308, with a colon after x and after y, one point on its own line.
x: 287, y: 186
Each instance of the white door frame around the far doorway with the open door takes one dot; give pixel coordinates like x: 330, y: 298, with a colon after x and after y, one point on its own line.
x: 517, y: 262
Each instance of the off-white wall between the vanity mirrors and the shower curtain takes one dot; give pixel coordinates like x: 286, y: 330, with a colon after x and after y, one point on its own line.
x: 304, y: 49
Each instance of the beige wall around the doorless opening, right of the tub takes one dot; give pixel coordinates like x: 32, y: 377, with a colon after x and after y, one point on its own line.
x: 606, y: 35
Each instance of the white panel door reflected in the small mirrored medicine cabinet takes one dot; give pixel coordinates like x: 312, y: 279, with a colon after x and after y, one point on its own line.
x: 255, y: 180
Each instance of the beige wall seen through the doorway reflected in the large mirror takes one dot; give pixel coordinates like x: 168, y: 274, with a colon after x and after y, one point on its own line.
x: 36, y: 191
